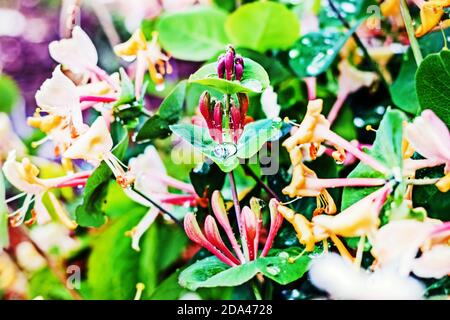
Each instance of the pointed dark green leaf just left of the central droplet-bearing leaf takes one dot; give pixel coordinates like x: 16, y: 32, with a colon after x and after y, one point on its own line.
x: 169, y: 112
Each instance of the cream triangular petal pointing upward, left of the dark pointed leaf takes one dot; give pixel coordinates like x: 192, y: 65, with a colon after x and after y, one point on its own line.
x: 93, y: 145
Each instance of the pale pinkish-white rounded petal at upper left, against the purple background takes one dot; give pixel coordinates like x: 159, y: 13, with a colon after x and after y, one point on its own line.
x: 77, y: 53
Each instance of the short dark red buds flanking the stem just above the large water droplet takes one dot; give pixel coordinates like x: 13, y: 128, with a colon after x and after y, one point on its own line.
x: 213, y: 112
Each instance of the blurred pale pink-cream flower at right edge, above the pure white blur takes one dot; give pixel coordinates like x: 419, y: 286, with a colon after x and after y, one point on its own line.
x: 397, y: 243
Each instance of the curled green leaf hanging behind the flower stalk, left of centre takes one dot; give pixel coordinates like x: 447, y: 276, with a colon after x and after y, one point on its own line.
x: 91, y: 212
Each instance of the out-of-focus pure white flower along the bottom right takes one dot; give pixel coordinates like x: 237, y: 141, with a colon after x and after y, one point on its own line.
x: 340, y: 278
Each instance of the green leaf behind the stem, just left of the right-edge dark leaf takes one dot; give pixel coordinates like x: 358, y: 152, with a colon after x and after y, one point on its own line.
x: 403, y: 90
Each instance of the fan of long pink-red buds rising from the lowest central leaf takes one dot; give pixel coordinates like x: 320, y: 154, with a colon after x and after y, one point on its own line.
x: 251, y: 226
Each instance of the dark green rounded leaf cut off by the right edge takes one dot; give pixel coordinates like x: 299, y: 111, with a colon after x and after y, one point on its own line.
x: 433, y: 84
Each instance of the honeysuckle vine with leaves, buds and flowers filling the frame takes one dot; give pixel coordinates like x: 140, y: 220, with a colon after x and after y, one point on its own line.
x: 214, y: 147
